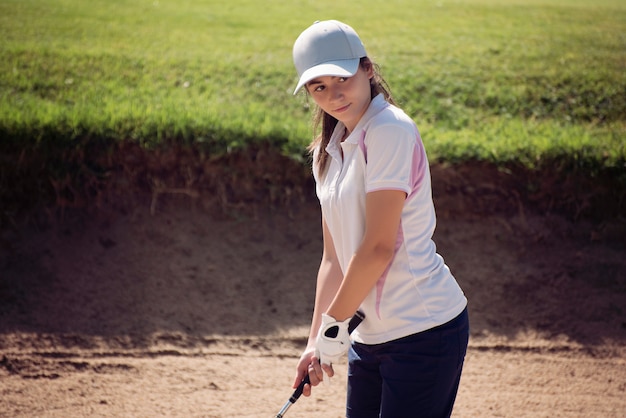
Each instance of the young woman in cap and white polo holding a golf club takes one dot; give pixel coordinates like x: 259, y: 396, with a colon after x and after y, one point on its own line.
x: 373, y: 183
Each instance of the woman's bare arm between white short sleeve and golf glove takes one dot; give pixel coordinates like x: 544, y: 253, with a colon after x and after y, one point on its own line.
x: 383, y: 210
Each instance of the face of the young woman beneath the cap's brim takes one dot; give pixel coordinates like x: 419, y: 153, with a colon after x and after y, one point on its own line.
x: 344, y: 98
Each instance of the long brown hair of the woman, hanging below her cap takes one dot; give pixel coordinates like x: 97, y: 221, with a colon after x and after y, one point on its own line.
x: 328, y: 123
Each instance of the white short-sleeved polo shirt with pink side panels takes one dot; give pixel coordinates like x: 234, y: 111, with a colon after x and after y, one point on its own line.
x: 385, y: 152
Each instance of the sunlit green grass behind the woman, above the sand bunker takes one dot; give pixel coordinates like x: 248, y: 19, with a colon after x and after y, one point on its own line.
x: 522, y: 81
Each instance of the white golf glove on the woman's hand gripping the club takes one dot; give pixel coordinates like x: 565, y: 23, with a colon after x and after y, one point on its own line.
x: 333, y: 340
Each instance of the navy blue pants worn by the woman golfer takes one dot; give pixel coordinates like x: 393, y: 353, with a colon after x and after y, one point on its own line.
x: 412, y: 377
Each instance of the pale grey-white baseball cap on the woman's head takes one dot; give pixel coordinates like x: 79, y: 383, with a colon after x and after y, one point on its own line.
x: 327, y: 48
